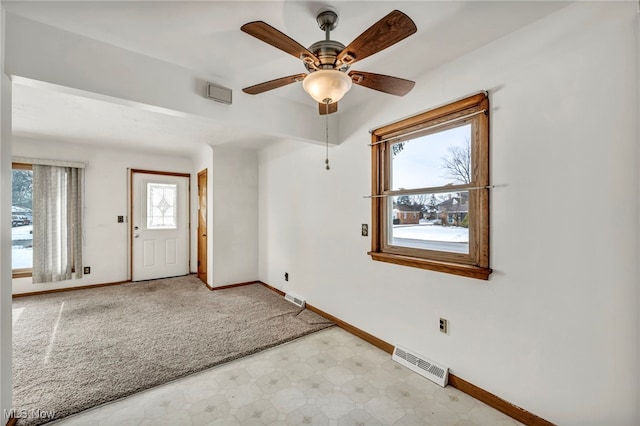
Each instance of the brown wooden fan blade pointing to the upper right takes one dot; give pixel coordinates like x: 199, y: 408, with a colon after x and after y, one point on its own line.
x: 386, y: 32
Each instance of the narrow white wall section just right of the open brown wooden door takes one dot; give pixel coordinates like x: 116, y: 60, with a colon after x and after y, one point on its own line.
x: 234, y: 229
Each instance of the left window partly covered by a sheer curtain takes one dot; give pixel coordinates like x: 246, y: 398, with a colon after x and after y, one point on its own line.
x: 47, y: 200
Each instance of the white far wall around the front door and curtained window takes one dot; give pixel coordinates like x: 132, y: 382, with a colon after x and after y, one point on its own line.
x: 106, y: 195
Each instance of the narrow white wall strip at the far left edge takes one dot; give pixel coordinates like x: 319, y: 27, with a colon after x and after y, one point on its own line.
x: 5, y: 232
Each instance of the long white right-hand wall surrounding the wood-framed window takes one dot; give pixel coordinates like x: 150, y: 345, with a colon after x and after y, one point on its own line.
x: 555, y: 330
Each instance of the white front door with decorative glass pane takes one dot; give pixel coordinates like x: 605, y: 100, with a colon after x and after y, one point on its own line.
x: 159, y: 226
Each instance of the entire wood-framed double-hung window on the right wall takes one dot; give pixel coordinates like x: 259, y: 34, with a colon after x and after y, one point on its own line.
x: 430, y: 181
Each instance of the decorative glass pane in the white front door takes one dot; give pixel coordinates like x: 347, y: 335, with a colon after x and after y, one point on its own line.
x: 161, y: 205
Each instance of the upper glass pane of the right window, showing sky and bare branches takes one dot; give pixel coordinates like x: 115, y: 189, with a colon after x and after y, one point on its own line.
x: 433, y: 160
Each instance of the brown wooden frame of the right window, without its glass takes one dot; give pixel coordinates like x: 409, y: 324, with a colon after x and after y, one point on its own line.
x: 473, y: 110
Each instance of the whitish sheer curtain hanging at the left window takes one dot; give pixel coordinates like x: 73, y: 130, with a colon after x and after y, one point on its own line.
x: 57, y: 222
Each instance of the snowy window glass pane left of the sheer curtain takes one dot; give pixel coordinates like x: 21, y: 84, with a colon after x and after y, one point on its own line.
x: 21, y: 219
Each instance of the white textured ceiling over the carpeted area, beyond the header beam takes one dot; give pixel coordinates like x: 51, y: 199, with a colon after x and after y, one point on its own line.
x: 42, y: 113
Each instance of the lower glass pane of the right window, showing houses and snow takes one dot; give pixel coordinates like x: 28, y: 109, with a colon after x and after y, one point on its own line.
x: 430, y: 221
